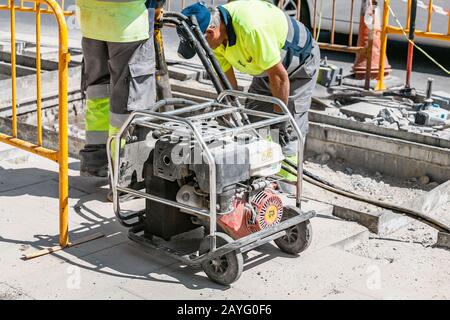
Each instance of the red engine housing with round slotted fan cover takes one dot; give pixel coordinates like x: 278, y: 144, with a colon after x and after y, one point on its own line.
x: 265, y: 211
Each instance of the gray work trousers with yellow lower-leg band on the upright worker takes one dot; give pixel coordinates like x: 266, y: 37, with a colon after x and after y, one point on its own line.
x: 122, y: 72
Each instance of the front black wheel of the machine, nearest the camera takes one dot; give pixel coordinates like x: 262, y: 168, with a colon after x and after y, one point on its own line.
x: 225, y: 269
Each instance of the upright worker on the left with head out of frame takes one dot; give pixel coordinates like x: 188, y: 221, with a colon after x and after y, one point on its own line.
x: 118, y: 73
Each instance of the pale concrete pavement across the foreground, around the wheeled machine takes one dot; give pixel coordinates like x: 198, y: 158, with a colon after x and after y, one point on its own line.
x: 115, y: 267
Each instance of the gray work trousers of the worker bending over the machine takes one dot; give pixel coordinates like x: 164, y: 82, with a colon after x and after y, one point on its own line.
x: 302, y: 81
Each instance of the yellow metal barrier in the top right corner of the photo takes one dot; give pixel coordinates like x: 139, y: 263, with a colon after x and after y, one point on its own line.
x: 388, y: 29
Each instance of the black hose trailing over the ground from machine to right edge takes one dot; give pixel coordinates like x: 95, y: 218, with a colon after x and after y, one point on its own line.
x: 321, y: 183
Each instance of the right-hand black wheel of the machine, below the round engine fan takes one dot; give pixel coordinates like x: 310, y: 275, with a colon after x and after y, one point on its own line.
x: 297, y: 238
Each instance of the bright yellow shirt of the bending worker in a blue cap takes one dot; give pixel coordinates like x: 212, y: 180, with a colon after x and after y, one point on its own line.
x: 256, y: 34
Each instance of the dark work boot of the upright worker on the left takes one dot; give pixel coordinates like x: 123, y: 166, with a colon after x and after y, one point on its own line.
x: 94, y: 161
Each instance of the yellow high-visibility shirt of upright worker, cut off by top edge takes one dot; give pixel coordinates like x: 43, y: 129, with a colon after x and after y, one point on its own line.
x: 113, y: 20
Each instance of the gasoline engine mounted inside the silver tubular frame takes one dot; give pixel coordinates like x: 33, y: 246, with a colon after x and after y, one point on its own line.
x: 176, y: 169
